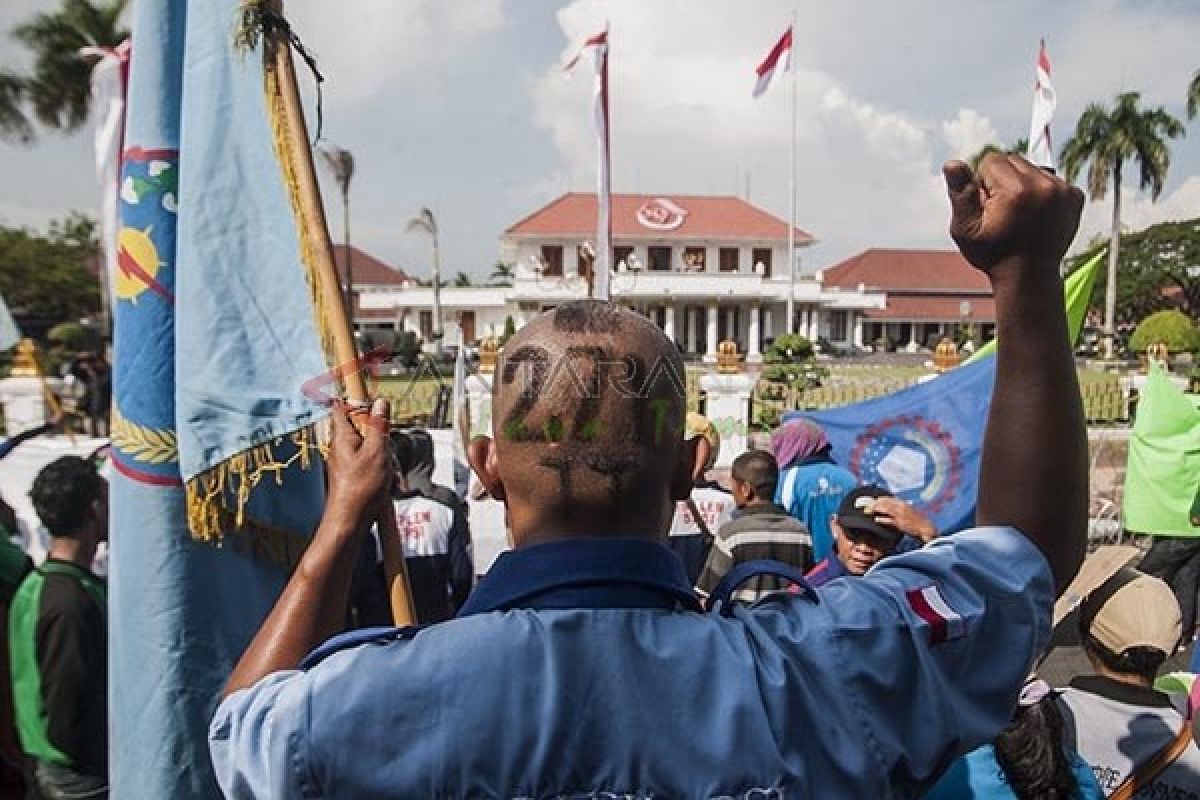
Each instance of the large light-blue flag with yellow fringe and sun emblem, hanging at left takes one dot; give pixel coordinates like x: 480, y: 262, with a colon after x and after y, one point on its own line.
x: 214, y: 338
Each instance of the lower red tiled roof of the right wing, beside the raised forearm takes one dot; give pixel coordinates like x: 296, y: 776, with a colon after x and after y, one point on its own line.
x: 908, y: 270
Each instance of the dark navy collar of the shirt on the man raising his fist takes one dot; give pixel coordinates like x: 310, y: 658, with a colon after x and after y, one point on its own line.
x: 611, y: 573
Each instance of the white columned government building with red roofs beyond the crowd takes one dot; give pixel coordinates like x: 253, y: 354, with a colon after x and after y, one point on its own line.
x: 706, y: 269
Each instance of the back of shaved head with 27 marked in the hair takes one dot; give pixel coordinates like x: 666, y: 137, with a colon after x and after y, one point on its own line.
x: 590, y: 402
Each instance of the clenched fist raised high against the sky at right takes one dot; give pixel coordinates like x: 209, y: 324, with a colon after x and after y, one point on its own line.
x: 1010, y: 214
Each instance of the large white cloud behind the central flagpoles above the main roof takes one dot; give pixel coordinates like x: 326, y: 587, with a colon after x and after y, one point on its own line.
x: 685, y: 122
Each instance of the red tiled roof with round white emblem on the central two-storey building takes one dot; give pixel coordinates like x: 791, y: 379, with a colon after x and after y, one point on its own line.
x: 709, y: 218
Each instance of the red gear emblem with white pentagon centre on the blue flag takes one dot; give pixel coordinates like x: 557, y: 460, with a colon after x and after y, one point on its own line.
x: 913, y: 458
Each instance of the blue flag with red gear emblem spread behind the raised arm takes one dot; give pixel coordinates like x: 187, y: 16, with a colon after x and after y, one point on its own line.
x: 923, y: 443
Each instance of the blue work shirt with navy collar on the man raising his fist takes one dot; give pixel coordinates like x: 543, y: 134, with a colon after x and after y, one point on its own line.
x: 580, y: 670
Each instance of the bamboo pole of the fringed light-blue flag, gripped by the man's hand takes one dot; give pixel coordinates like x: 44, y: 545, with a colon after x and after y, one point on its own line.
x: 345, y: 348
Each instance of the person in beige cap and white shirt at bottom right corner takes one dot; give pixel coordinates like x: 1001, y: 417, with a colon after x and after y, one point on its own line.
x: 1115, y: 719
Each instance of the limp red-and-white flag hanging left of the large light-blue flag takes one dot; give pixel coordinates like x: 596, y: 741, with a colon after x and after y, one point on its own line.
x: 110, y: 77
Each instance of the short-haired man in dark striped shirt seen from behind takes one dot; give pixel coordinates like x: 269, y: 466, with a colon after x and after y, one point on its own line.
x: 760, y: 530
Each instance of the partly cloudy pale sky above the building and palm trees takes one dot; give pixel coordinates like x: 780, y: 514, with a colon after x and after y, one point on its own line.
x: 463, y: 107
